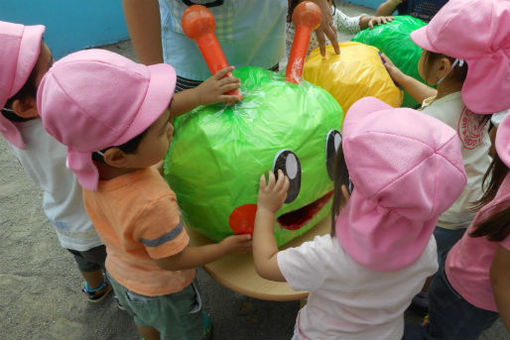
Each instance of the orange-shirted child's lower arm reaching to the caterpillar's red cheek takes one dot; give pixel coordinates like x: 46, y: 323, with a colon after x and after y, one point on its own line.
x: 192, y: 257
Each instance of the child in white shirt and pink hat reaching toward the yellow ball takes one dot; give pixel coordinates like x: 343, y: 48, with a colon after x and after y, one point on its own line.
x: 455, y: 59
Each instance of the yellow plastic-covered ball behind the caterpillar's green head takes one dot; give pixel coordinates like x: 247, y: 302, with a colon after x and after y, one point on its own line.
x: 356, y: 73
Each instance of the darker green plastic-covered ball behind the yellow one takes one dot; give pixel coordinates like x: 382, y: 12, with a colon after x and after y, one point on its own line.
x: 394, y: 40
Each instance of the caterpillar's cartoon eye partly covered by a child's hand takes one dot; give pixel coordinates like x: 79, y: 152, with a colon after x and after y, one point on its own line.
x: 288, y: 162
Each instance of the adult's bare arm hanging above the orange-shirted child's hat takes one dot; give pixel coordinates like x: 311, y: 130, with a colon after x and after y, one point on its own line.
x: 143, y: 21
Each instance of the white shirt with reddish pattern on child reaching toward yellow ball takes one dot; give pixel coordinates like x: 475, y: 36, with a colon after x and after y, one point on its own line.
x: 475, y: 141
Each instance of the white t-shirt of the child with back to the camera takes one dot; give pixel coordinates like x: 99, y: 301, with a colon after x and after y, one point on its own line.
x: 347, y: 300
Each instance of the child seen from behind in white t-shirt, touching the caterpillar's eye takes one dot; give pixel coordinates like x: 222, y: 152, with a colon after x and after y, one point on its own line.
x: 363, y: 276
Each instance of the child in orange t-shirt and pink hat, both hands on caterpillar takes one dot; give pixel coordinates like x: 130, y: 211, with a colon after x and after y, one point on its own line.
x: 105, y: 107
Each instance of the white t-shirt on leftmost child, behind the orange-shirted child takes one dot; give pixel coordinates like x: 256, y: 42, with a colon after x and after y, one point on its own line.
x: 44, y: 160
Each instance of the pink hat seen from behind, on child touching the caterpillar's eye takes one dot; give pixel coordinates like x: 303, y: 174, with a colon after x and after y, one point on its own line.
x: 407, y: 169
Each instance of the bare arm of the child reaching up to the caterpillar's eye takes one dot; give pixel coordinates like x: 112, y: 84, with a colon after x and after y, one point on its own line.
x: 271, y: 198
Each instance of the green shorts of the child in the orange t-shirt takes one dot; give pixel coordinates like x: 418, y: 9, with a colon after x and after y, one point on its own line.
x: 176, y: 316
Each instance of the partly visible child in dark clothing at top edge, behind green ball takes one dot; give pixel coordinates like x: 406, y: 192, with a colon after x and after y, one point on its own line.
x: 422, y: 9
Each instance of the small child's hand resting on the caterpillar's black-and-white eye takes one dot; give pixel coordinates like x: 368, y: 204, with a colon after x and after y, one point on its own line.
x: 273, y: 194
